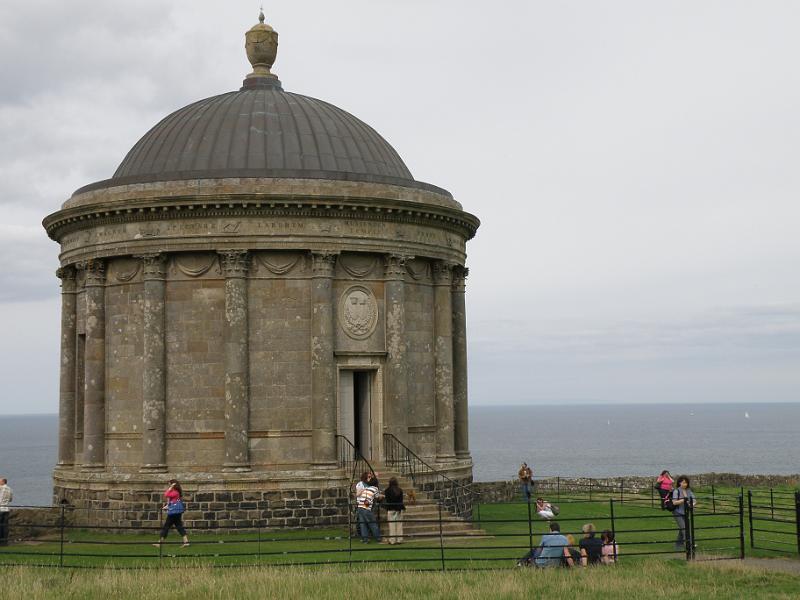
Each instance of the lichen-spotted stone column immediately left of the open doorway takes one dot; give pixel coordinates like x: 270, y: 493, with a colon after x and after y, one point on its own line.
x: 323, y: 365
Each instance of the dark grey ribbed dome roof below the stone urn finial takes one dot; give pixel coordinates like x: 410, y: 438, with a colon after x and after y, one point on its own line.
x: 262, y: 132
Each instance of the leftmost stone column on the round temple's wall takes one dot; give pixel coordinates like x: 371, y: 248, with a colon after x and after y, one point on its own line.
x: 66, y: 396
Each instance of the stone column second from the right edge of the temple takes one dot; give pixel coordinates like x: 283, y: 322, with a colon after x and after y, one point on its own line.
x: 443, y: 356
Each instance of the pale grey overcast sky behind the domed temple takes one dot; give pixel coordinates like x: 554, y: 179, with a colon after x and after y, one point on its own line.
x: 634, y: 165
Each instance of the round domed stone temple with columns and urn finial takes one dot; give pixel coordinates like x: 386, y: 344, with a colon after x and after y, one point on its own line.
x: 261, y: 284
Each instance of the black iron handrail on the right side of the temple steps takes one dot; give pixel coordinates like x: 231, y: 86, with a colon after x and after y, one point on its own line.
x: 456, y: 497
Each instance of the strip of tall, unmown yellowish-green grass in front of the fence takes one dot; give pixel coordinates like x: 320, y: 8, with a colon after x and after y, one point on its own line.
x: 631, y: 581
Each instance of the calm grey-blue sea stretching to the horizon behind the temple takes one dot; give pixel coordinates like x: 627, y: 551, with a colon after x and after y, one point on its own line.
x: 596, y: 440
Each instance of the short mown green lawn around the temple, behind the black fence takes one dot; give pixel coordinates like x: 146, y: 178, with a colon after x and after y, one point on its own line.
x: 640, y: 529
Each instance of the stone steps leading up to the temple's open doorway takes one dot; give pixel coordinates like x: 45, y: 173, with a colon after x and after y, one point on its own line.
x: 421, y: 519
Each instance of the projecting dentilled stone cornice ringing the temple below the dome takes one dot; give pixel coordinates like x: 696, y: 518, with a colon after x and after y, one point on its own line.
x: 255, y: 206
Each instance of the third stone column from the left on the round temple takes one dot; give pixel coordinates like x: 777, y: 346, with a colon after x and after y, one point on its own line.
x: 154, y: 407
